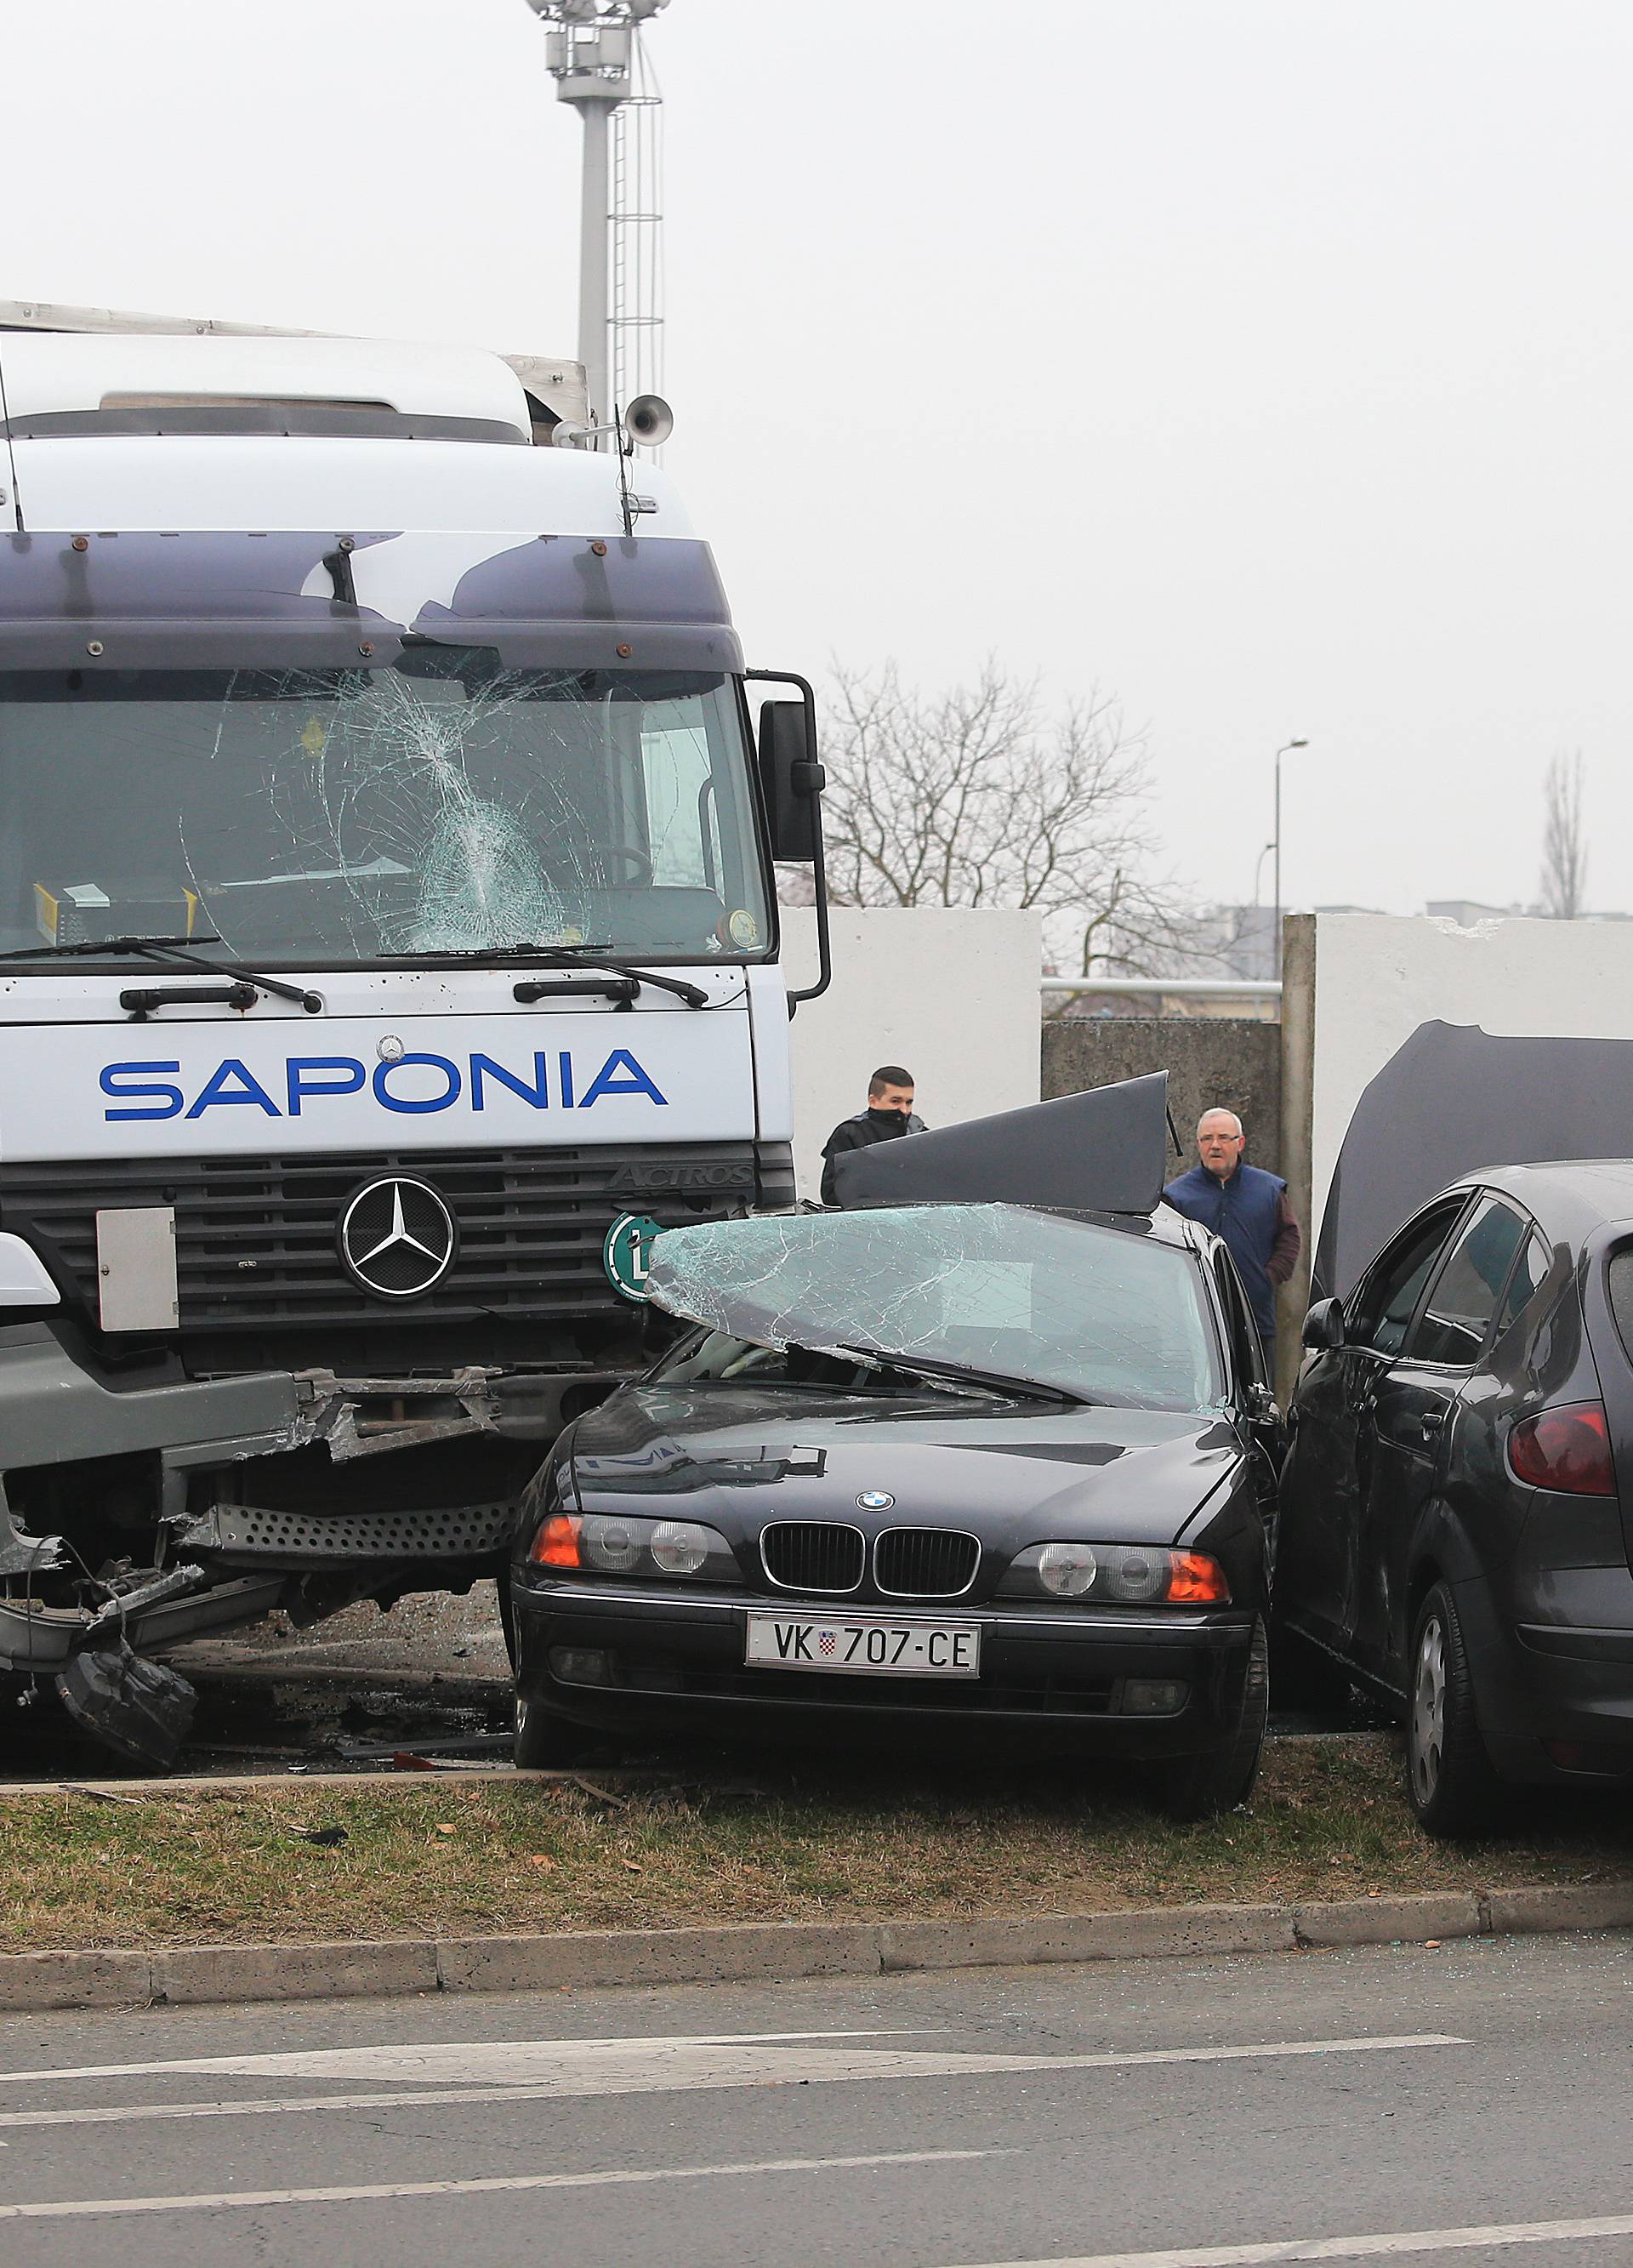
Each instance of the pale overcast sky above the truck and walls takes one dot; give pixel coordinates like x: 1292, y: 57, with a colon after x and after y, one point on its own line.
x: 1262, y: 364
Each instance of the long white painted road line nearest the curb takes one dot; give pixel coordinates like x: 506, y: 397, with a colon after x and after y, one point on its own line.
x: 672, y: 2070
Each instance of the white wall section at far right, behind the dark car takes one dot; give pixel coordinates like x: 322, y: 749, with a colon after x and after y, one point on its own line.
x: 1378, y: 979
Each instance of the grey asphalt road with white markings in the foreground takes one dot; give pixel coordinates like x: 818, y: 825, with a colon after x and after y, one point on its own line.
x: 1149, y: 2115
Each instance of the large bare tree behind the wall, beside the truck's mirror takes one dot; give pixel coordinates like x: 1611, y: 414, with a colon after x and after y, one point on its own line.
x: 981, y: 797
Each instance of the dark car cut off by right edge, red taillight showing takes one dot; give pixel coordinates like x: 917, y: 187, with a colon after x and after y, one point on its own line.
x: 1453, y: 1503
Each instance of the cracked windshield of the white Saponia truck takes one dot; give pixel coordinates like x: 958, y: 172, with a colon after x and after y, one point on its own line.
x: 434, y: 806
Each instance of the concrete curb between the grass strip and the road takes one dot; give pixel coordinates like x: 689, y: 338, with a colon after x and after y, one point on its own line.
x: 768, y: 1952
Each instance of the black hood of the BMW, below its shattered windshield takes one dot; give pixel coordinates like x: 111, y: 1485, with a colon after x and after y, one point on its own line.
x: 741, y: 1457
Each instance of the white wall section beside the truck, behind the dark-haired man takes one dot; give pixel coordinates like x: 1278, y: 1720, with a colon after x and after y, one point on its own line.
x: 947, y: 992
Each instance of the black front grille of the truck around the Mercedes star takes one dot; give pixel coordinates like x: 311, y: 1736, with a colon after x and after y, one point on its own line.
x: 257, y: 1235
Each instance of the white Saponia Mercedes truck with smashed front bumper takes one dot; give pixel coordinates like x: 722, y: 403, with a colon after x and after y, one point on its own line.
x: 389, y: 947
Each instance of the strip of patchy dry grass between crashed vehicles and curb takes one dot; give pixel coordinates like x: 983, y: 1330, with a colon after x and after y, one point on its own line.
x: 790, y: 1843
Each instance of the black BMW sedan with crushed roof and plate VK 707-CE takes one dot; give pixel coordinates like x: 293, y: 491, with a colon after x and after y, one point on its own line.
x: 924, y: 1471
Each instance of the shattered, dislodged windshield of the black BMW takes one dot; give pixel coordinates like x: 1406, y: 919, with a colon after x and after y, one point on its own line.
x: 1103, y: 1314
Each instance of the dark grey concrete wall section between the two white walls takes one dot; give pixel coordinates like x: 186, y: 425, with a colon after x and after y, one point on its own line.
x: 1210, y: 1063
